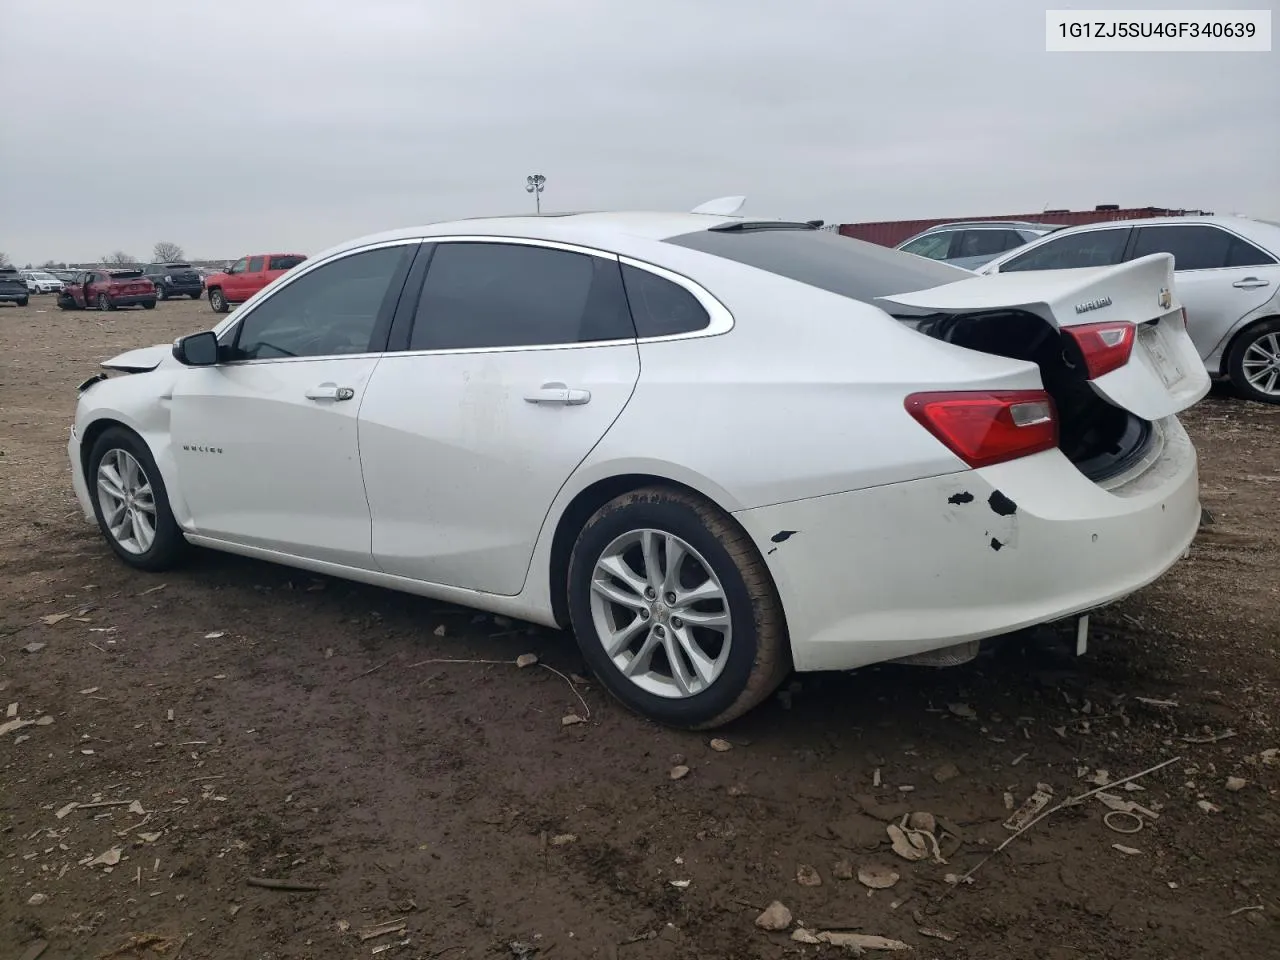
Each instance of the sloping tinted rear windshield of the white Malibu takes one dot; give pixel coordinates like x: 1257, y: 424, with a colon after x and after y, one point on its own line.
x: 825, y: 259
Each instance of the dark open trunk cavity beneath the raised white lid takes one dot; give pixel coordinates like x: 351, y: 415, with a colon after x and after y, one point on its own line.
x: 1098, y: 437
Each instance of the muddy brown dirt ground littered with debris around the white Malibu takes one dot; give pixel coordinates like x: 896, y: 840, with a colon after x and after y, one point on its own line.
x: 272, y: 725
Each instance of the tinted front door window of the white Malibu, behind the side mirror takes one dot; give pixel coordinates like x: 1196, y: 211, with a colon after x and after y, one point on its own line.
x: 328, y: 312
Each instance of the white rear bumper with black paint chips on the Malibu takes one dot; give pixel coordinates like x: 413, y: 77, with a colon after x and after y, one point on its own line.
x: 906, y: 569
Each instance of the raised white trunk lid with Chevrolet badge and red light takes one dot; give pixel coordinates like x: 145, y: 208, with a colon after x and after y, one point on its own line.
x: 1123, y: 330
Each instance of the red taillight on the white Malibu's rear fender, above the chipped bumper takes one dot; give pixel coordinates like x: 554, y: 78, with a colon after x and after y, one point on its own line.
x: 989, y: 428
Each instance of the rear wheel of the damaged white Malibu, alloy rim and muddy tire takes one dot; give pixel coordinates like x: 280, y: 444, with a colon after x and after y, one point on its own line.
x: 675, y: 610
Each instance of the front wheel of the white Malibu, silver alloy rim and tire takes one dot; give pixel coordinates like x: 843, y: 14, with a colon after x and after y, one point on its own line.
x: 131, y: 502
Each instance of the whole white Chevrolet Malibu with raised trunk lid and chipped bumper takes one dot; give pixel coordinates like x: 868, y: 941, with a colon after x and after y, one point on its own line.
x: 717, y: 449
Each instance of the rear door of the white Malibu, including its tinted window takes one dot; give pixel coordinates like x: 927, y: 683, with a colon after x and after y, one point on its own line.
x: 504, y: 374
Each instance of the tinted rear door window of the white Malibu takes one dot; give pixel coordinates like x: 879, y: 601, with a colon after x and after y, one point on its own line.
x: 506, y: 295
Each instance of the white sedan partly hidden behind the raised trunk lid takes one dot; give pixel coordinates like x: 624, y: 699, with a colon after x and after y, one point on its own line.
x: 1228, y: 276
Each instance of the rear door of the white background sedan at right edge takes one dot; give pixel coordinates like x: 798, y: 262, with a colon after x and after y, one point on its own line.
x: 1220, y: 277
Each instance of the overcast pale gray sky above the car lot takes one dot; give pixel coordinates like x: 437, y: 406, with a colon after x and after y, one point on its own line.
x: 230, y: 126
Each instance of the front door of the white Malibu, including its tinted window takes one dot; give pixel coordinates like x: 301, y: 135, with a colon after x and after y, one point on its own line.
x: 266, y: 442
